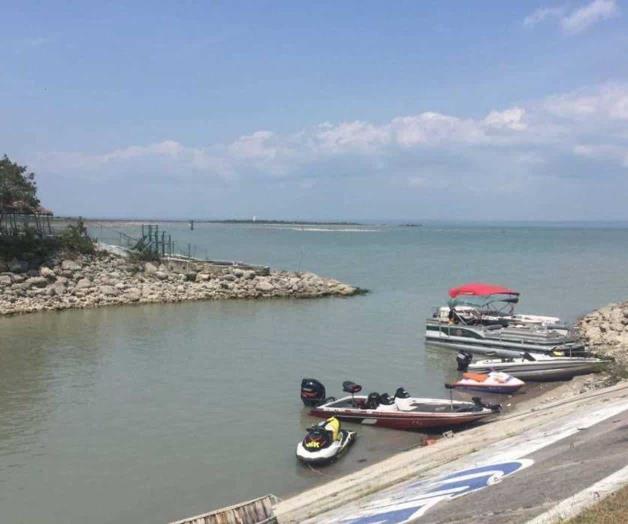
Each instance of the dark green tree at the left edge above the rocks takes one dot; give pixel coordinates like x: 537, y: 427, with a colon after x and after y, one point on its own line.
x: 17, y: 187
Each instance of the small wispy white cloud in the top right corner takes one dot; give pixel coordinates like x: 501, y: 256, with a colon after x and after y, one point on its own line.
x: 573, y: 21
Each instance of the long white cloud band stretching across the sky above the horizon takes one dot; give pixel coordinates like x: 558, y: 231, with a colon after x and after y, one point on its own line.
x: 588, y: 123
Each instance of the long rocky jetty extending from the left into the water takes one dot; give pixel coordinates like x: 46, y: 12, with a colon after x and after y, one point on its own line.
x: 105, y: 279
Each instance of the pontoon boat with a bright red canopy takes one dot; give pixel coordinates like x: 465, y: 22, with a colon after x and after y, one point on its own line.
x: 489, y: 326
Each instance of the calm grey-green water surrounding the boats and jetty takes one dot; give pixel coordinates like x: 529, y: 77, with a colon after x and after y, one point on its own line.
x: 152, y: 413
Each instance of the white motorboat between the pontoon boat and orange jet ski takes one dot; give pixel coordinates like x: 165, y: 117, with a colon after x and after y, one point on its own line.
x: 537, y: 367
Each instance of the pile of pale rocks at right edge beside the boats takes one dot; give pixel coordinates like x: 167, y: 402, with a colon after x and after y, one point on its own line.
x: 606, y: 332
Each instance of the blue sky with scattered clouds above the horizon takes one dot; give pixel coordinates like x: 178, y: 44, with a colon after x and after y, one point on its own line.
x: 373, y: 110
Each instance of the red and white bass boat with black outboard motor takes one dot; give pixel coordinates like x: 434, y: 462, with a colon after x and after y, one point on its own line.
x: 399, y: 411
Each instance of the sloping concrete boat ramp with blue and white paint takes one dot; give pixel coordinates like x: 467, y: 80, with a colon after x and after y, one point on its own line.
x: 528, y: 466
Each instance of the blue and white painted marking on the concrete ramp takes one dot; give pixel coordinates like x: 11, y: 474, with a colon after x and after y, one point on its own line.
x: 413, y: 500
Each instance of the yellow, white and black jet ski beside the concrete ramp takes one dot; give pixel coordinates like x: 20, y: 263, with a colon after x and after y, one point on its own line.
x: 324, y: 442
